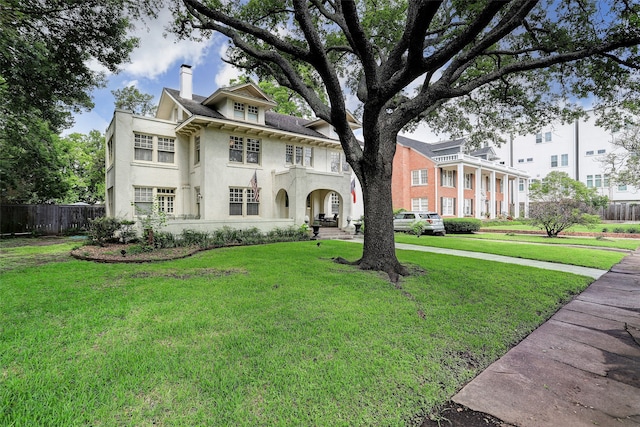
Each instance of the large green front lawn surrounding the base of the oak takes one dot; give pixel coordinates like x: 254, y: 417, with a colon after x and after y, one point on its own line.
x: 260, y: 335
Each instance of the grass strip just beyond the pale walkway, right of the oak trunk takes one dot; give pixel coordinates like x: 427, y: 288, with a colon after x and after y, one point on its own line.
x: 594, y: 258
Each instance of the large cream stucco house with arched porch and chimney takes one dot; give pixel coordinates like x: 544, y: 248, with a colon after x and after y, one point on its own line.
x: 225, y: 159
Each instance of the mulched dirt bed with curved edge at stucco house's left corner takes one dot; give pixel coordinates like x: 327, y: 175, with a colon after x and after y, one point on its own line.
x: 118, y: 253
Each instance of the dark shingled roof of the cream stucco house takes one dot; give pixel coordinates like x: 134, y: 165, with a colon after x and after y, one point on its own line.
x: 273, y: 120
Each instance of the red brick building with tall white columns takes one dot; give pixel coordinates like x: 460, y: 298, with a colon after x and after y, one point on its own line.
x: 444, y: 177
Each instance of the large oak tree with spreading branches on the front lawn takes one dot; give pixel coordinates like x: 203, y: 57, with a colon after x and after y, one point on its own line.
x: 479, y: 67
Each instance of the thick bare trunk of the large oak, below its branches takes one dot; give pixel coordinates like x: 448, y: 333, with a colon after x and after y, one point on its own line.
x: 379, y: 245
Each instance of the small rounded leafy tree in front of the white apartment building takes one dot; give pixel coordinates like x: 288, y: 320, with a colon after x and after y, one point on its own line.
x: 559, y: 202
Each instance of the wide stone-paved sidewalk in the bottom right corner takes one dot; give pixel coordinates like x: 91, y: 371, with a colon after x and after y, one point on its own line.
x: 580, y: 368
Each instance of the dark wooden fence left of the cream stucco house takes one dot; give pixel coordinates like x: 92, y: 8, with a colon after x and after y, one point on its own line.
x: 46, y: 219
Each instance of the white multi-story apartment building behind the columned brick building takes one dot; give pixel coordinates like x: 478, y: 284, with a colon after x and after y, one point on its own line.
x: 576, y: 148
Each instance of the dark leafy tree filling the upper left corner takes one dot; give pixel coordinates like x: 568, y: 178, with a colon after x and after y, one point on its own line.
x: 47, y: 54
